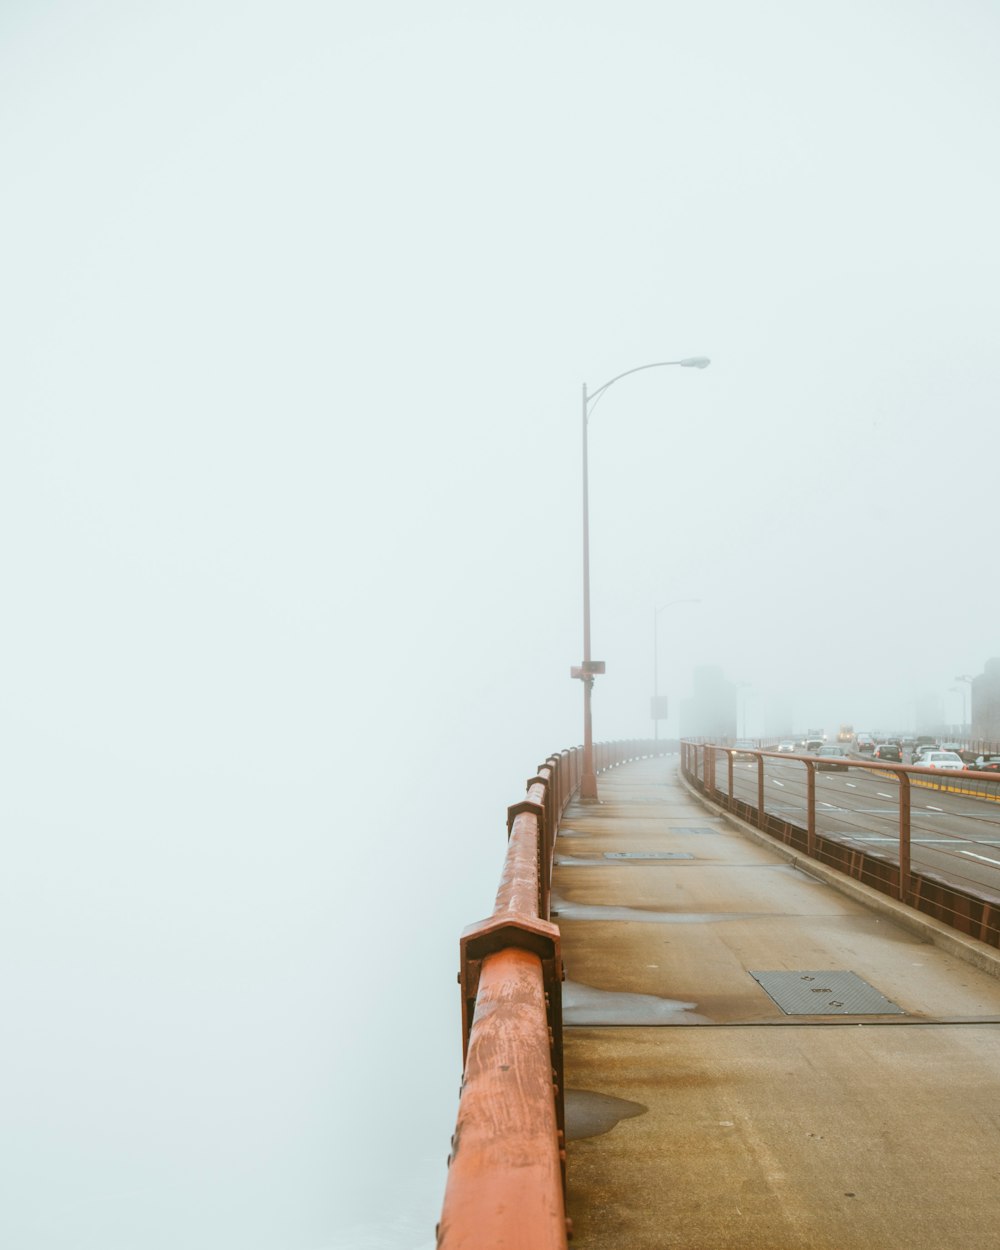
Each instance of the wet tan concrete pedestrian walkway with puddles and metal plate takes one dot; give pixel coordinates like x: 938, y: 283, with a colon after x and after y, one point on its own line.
x: 699, y: 1113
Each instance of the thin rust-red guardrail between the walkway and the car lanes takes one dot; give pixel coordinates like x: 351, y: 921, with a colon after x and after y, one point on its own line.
x: 942, y: 858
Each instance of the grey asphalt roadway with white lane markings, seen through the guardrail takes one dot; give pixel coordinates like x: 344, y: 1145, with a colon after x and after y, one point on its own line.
x: 953, y: 836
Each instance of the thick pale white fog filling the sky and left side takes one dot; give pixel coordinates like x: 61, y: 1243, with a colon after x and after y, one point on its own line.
x: 297, y: 303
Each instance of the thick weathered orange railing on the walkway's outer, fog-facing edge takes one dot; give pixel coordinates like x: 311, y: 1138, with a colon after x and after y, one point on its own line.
x: 507, y: 1169
